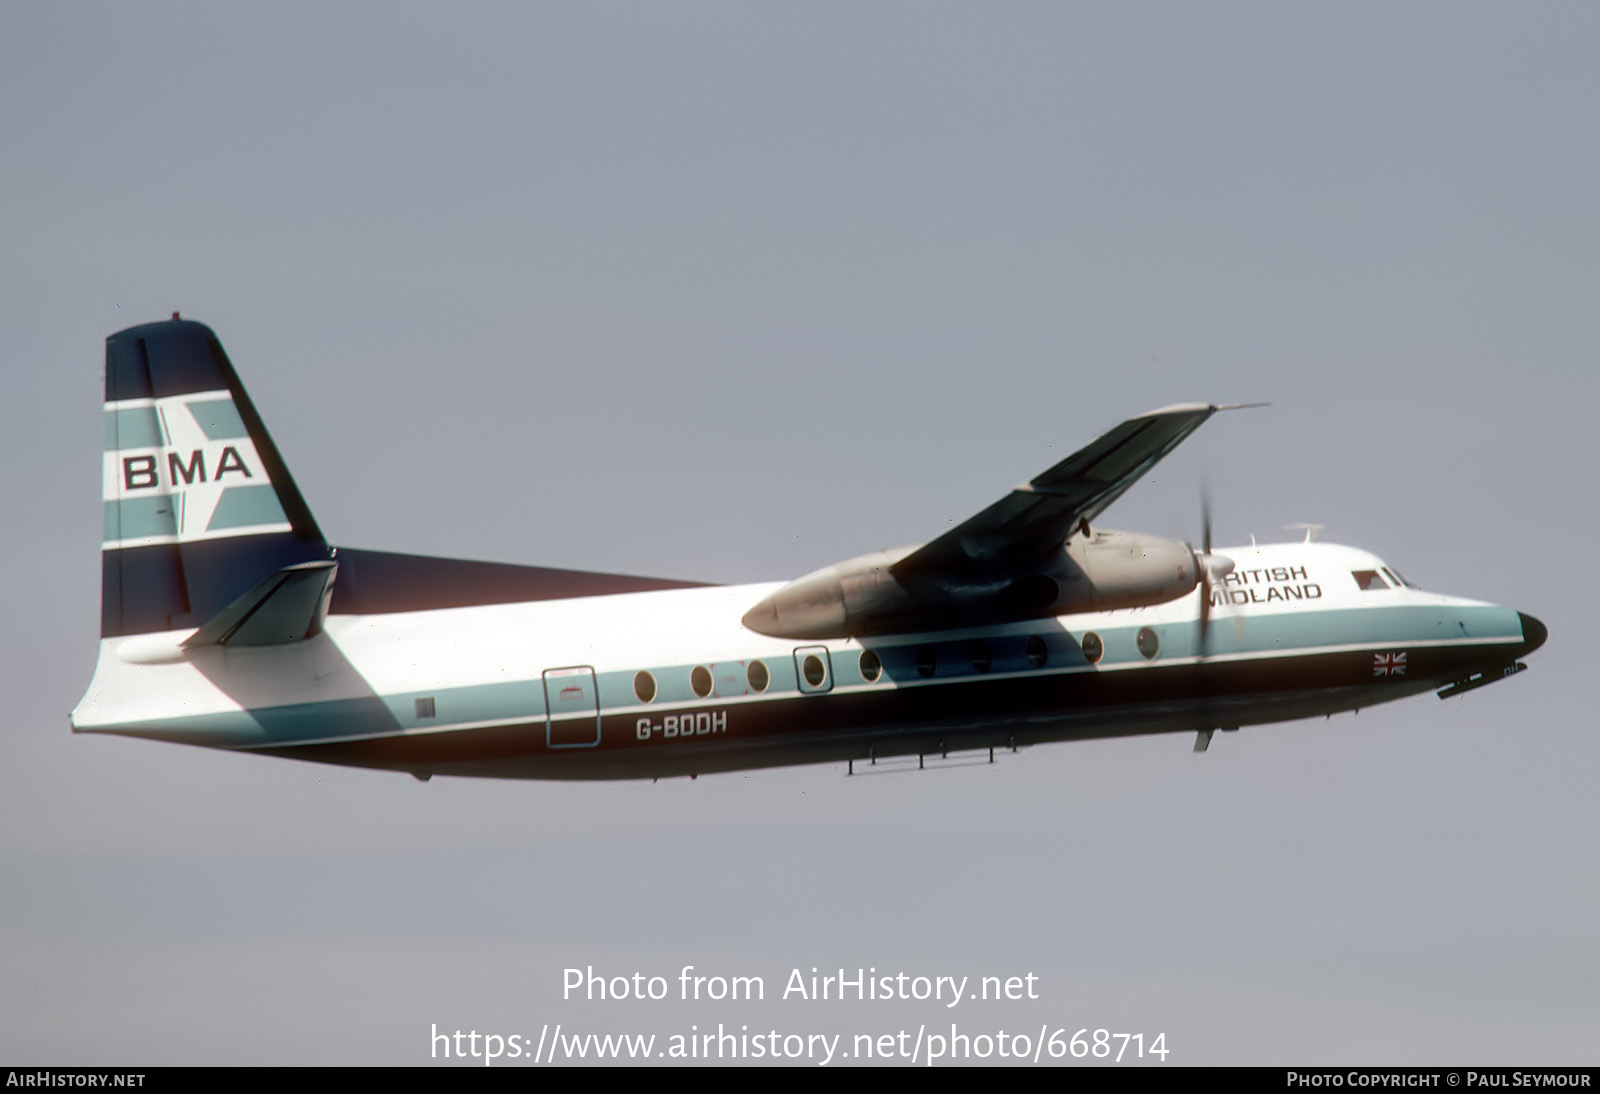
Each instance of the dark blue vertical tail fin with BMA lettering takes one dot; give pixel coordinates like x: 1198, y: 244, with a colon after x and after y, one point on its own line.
x: 199, y: 506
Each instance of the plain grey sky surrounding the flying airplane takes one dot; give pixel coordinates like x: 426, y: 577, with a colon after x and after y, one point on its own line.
x: 734, y: 292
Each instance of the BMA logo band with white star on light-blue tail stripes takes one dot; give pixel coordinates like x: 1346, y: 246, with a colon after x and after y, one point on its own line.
x: 183, y: 469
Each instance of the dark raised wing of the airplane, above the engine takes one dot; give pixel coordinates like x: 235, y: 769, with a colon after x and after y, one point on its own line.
x: 1036, y: 521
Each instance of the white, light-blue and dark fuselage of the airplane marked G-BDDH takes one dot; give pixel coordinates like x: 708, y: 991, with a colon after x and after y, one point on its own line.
x: 558, y: 689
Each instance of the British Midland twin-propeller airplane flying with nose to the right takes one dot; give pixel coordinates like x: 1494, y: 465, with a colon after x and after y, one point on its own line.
x: 230, y: 621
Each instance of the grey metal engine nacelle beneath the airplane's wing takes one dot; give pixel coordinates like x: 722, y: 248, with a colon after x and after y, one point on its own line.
x: 862, y: 597
